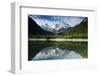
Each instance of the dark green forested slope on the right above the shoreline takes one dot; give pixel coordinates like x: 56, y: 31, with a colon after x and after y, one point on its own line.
x: 80, y: 29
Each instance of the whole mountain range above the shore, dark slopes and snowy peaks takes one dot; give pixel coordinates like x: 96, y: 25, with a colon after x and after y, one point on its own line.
x: 35, y: 29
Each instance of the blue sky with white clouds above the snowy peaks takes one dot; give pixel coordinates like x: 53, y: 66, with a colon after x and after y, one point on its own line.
x: 52, y: 20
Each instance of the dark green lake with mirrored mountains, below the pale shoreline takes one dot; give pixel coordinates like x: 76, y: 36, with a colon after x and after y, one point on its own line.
x: 53, y: 50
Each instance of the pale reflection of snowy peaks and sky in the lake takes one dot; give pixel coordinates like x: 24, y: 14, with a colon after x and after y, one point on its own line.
x: 56, y: 52
